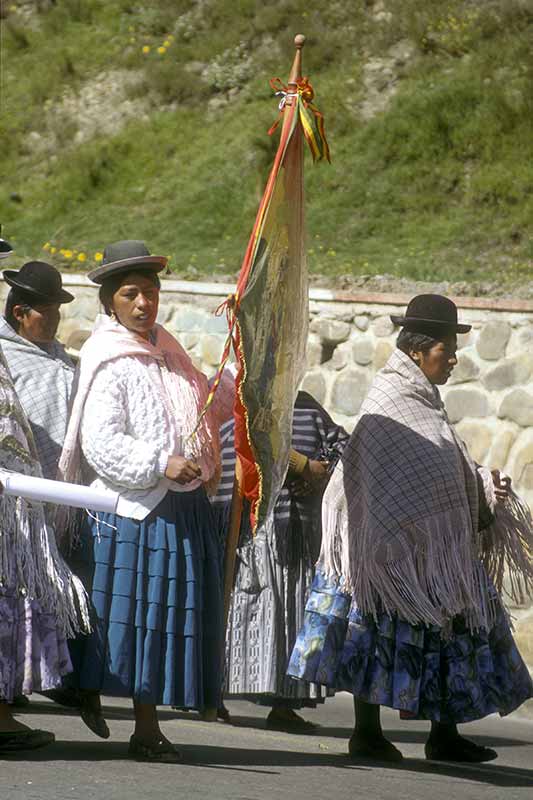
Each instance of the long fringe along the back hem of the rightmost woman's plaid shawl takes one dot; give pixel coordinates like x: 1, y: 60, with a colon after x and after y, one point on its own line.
x: 431, y: 579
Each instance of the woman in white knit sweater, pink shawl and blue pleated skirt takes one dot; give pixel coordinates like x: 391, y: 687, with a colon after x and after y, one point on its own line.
x: 157, y: 580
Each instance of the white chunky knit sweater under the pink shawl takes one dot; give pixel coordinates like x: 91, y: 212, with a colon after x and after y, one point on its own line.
x: 128, y: 430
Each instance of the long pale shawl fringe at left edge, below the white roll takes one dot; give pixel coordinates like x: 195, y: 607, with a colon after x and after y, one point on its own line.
x: 30, y: 560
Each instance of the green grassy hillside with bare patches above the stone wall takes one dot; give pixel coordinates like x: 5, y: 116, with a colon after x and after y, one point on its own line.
x: 148, y: 120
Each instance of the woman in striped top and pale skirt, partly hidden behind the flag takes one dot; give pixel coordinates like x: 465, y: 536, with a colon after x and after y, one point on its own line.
x: 274, y: 569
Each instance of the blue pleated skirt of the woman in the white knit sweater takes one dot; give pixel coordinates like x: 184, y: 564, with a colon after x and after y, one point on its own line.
x: 157, y: 597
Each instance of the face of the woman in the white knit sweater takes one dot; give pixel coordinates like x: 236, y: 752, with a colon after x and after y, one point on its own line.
x: 135, y: 303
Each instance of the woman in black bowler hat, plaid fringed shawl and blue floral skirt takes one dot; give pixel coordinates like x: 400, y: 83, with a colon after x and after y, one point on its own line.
x: 403, y: 612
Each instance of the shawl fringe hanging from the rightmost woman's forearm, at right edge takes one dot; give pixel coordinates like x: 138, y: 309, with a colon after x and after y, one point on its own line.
x: 507, y: 549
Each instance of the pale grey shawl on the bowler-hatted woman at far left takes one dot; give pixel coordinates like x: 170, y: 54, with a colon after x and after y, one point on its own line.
x: 43, y: 380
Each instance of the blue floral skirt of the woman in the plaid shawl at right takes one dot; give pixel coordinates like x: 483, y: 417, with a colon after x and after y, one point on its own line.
x: 409, y: 667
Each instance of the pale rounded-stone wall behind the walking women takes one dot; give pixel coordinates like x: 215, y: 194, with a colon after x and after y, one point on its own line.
x: 489, y: 397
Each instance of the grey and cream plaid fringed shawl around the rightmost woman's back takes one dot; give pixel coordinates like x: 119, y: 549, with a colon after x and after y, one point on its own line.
x: 400, y: 514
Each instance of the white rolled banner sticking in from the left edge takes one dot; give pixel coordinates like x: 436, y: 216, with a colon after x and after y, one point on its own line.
x: 57, y: 492
